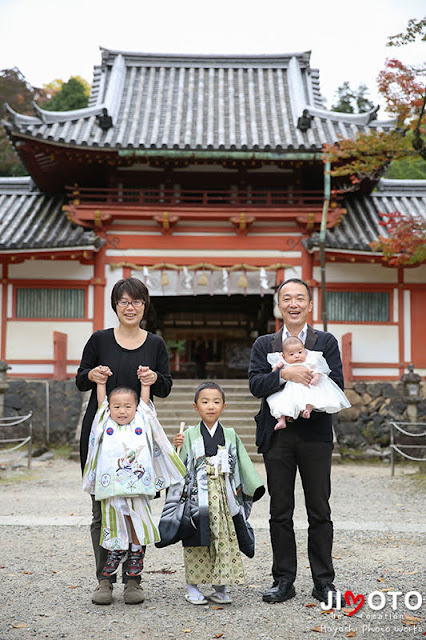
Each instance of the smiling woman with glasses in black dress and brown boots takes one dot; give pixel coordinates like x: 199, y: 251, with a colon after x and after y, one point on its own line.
x: 123, y: 349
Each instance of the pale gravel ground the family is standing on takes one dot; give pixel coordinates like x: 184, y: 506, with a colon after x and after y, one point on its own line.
x: 47, y: 572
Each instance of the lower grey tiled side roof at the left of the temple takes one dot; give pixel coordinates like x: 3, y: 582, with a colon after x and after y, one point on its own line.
x: 30, y: 219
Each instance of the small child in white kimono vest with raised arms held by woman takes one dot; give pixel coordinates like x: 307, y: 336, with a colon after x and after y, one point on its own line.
x: 129, y: 460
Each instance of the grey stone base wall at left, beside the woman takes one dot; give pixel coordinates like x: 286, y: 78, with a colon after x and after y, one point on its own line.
x: 64, y: 407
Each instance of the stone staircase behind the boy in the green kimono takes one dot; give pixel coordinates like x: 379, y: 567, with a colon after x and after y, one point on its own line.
x: 241, y: 407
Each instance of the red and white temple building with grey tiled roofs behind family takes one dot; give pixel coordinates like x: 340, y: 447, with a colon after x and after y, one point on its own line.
x: 204, y: 177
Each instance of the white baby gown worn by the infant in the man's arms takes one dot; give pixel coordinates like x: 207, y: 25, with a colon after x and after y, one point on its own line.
x: 292, y: 399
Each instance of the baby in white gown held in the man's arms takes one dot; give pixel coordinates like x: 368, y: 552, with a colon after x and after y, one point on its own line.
x: 295, y: 398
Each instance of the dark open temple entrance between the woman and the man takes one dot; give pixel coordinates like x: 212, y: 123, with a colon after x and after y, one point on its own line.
x: 211, y: 336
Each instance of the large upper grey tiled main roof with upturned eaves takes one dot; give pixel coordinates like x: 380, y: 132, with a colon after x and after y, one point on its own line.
x: 212, y: 103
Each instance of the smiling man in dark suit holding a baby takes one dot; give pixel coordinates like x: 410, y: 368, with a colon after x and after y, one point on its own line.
x: 305, y: 444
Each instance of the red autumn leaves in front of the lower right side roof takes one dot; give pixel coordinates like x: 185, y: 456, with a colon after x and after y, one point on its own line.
x: 405, y: 244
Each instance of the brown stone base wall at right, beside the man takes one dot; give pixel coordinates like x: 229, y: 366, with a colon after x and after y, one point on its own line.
x: 363, y: 427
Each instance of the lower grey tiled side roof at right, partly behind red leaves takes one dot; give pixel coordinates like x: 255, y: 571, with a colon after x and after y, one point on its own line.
x: 360, y: 225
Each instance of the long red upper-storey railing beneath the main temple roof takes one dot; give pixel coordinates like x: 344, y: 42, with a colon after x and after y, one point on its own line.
x: 203, y: 197
